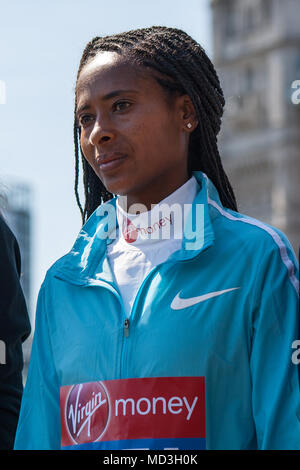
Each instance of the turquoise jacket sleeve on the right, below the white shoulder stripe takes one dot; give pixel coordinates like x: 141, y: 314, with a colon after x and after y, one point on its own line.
x: 275, y: 378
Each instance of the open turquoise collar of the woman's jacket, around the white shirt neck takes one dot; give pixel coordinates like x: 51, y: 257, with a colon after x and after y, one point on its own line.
x: 87, y: 263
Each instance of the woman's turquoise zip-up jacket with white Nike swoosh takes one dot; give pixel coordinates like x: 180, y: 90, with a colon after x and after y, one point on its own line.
x: 223, y: 308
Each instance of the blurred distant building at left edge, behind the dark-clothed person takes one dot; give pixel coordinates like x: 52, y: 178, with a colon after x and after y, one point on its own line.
x: 18, y: 216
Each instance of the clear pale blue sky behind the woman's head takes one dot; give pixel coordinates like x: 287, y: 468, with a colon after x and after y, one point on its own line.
x: 41, y: 43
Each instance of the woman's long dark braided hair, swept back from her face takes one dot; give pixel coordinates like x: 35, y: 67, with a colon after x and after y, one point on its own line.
x: 180, y: 65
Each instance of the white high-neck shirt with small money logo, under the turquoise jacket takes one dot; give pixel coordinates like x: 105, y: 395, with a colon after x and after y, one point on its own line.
x: 148, y: 239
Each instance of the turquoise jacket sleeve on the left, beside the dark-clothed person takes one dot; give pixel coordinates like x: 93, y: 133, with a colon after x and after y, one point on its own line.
x: 39, y: 422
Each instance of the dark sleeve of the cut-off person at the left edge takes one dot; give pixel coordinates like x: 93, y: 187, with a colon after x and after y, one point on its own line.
x: 14, y: 329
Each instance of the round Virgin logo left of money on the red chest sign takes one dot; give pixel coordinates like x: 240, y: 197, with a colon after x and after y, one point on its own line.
x: 87, y: 412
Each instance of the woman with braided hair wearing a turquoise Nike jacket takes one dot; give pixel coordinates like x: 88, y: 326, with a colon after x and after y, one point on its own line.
x: 151, y: 341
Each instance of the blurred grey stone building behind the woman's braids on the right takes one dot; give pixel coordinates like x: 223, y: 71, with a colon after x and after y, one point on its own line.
x: 257, y: 57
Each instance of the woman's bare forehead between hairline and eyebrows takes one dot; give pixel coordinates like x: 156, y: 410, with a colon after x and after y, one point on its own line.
x: 108, y: 71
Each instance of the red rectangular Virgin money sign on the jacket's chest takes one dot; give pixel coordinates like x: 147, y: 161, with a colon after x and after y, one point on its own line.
x: 146, y: 413
